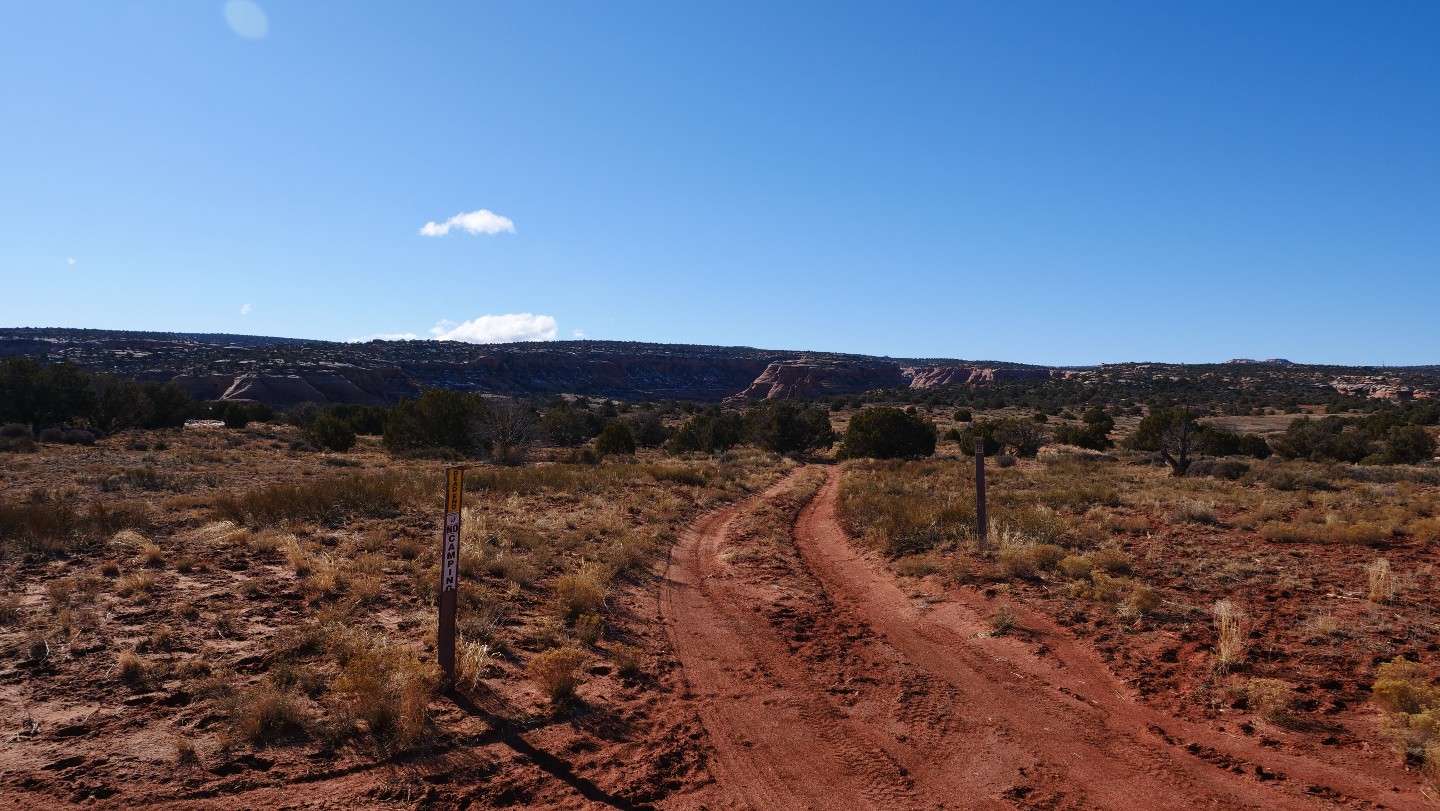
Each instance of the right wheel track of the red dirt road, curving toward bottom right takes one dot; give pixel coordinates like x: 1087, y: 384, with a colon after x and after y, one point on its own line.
x: 1066, y: 712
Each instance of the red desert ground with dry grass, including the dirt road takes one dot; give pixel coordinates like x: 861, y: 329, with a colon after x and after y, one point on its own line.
x: 211, y: 619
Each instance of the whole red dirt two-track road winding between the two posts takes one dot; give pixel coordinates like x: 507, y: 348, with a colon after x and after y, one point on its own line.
x: 823, y: 685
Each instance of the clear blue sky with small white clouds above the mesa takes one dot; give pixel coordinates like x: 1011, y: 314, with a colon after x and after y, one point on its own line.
x: 1040, y: 182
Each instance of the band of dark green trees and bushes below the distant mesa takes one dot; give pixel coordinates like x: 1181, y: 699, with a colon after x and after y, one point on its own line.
x: 67, y: 404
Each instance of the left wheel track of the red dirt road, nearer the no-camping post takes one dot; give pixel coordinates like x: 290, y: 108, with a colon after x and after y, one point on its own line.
x: 778, y: 741
